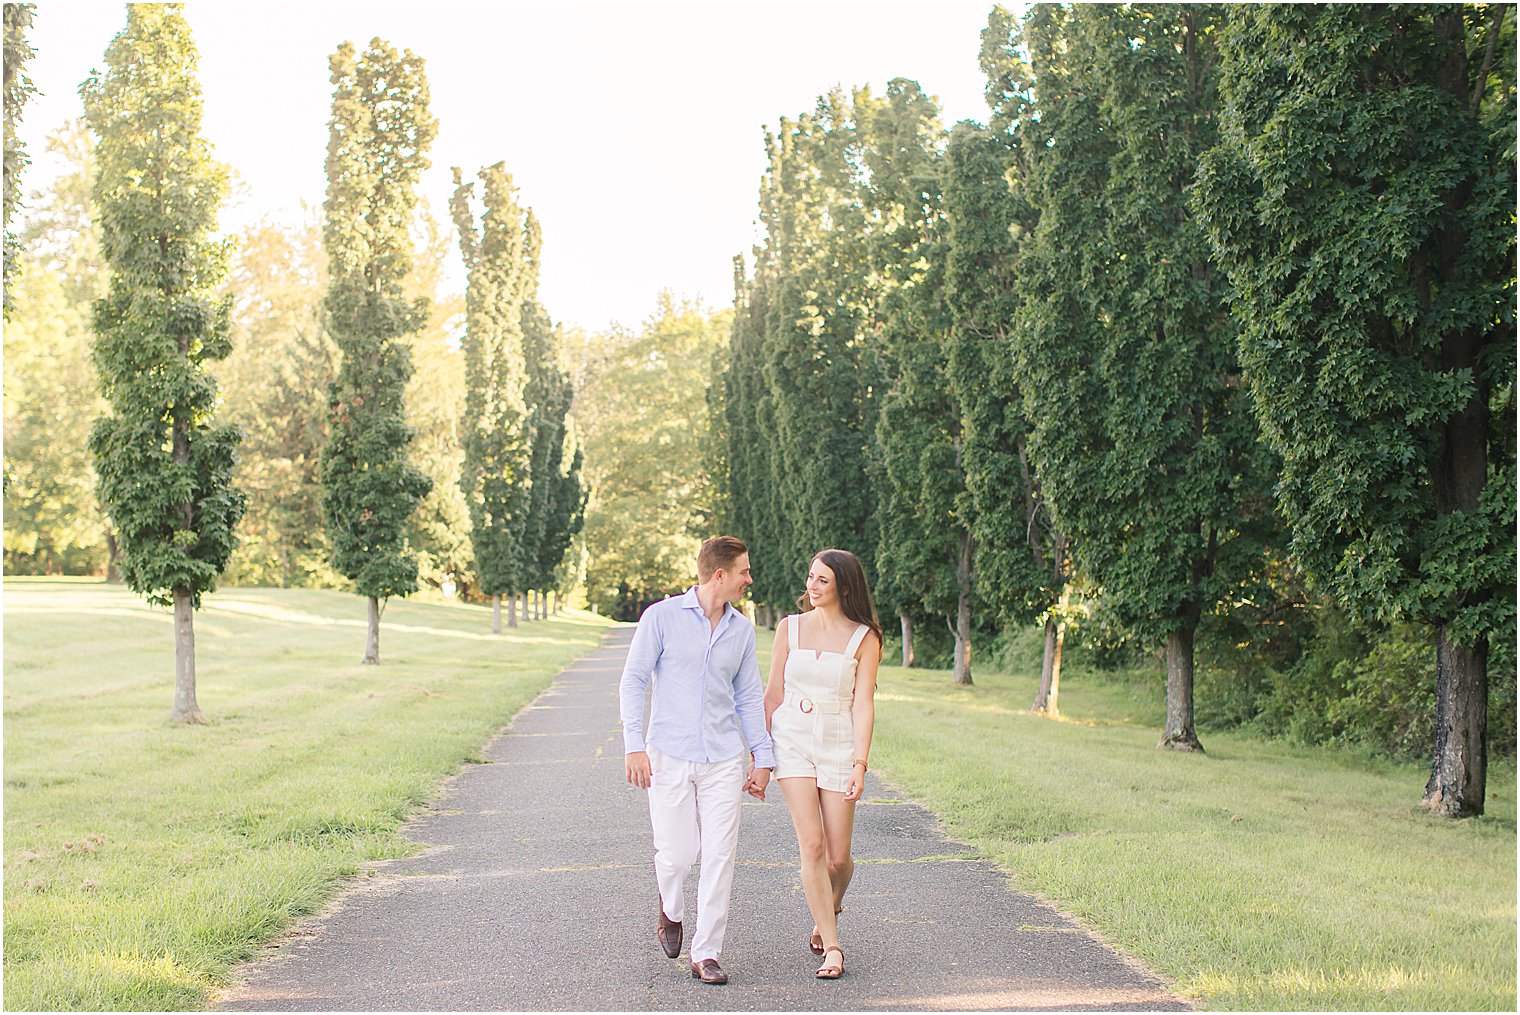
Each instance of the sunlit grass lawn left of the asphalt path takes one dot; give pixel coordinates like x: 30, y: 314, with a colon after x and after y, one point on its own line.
x: 144, y: 859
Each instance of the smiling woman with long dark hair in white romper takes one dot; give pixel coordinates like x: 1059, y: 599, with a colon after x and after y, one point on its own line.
x: 820, y: 707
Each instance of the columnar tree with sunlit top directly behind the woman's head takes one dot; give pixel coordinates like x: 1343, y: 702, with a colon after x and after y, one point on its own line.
x: 817, y: 417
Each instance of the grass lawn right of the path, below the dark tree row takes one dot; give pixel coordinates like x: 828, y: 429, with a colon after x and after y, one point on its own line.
x: 1258, y: 876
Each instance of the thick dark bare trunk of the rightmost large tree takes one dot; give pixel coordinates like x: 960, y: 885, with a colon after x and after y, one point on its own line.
x: 1460, y: 768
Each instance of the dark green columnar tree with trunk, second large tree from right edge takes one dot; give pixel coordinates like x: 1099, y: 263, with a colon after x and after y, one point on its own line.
x: 1126, y: 353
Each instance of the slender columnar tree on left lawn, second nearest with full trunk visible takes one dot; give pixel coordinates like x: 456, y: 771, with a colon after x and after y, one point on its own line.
x: 379, y: 138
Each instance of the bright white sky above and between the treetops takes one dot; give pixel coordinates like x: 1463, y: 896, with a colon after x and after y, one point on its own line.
x: 633, y: 130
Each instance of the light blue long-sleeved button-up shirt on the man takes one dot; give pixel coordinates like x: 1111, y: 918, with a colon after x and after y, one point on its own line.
x: 706, y: 685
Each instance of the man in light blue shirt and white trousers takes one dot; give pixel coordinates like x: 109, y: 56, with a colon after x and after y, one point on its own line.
x: 700, y: 656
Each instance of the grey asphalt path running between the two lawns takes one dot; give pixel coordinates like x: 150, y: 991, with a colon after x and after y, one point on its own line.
x: 536, y: 893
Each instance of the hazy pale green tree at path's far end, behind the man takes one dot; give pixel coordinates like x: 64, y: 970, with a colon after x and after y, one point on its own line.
x: 642, y: 409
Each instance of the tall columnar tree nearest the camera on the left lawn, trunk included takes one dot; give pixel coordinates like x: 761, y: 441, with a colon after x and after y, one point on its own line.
x: 165, y: 466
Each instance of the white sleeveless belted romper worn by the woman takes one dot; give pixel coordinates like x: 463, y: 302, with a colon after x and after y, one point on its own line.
x: 812, y: 730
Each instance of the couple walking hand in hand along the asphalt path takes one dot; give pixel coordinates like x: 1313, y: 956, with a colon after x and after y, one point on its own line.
x: 715, y: 735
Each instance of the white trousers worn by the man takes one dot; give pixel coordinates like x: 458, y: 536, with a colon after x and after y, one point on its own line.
x: 694, y: 809
